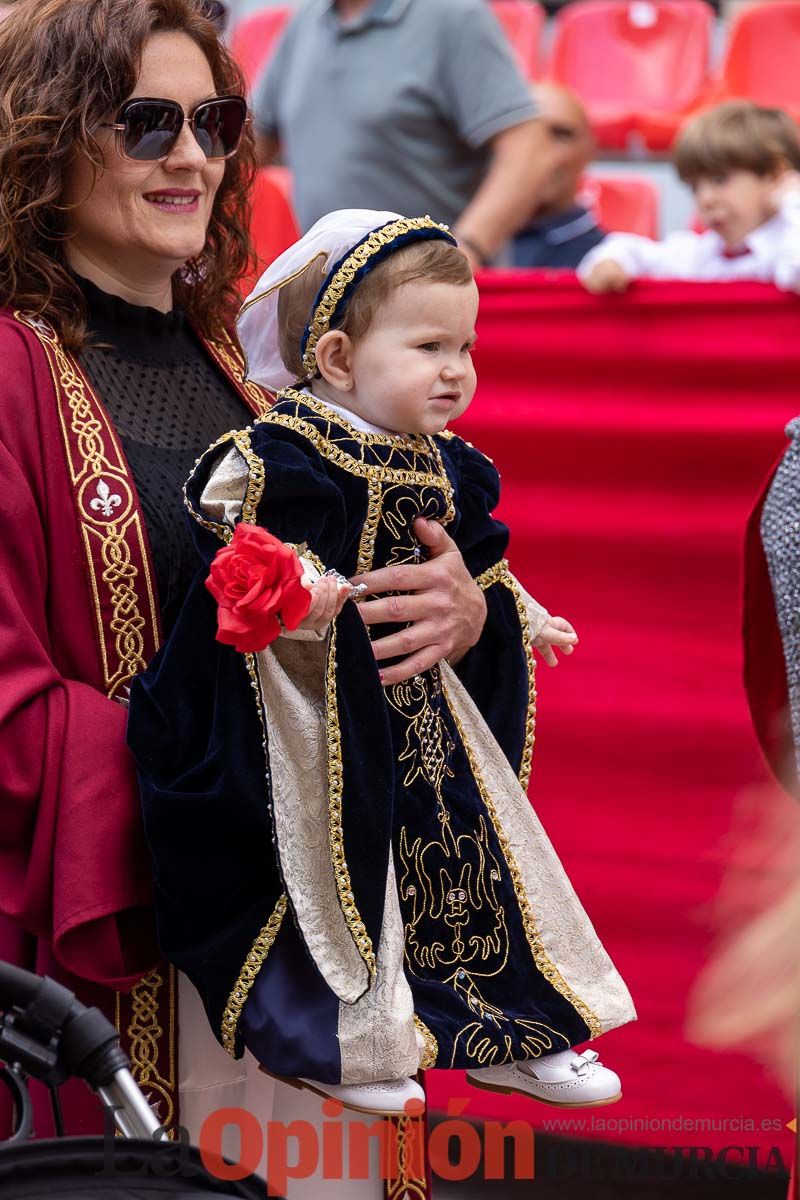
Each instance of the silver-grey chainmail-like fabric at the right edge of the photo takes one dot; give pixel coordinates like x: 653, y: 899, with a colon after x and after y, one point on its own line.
x: 781, y: 542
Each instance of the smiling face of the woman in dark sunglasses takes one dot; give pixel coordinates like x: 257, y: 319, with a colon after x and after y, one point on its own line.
x: 127, y: 225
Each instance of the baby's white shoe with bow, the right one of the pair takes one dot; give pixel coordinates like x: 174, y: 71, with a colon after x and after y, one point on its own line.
x: 567, y: 1079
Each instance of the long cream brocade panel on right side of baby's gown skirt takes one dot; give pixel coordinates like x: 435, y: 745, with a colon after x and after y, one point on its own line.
x: 567, y: 933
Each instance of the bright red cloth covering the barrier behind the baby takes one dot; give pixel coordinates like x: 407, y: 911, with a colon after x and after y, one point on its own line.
x: 633, y: 435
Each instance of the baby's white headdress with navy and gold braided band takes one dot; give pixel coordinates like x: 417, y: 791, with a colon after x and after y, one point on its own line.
x: 351, y: 242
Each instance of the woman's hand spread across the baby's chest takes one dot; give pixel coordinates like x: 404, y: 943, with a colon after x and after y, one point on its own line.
x: 444, y: 605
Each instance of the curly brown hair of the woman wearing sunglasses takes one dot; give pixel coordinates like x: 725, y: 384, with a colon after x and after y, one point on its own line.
x: 64, y: 67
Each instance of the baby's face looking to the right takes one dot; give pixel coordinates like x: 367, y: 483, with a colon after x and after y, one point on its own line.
x: 413, y: 370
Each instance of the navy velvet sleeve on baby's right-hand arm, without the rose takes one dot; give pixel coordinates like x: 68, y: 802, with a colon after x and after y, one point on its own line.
x: 498, y: 671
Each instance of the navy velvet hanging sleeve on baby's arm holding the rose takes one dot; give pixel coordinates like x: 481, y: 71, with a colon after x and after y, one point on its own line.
x: 200, y: 731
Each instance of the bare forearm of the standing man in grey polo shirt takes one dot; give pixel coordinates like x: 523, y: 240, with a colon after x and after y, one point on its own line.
x: 522, y: 160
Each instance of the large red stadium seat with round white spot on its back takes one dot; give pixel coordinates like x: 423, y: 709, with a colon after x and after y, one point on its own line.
x: 630, y: 57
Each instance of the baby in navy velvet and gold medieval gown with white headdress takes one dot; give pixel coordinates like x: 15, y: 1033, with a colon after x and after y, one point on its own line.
x: 350, y: 871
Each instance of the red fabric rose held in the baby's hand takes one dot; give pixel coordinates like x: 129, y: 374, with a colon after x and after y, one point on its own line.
x: 255, y: 580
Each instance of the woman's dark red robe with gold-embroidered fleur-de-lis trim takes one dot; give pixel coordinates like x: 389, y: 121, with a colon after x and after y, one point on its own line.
x: 79, y: 619
